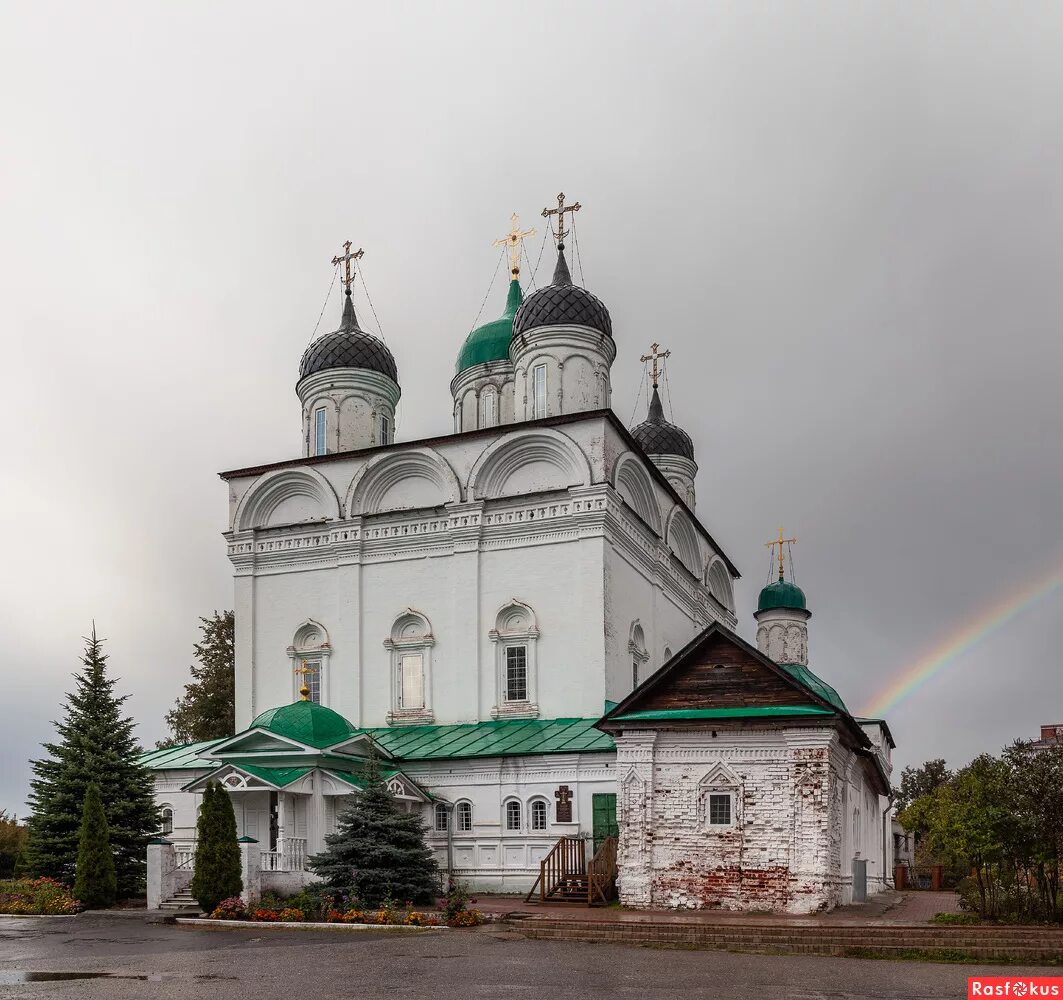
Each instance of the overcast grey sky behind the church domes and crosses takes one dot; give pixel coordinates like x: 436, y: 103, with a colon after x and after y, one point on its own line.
x: 843, y: 219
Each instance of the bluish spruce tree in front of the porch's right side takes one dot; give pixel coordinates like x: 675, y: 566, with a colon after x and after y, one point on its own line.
x: 378, y: 850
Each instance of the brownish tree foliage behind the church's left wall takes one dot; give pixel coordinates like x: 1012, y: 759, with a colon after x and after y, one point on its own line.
x: 208, y: 709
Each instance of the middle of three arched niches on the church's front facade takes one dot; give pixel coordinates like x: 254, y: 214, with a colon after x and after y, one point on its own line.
x: 403, y: 481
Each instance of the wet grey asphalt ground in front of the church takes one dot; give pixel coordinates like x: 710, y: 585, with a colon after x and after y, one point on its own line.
x: 163, y: 961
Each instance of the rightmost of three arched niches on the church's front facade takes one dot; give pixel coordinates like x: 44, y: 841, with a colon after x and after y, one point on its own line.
x: 529, y: 462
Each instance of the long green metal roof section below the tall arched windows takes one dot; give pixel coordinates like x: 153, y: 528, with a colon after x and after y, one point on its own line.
x: 498, y: 739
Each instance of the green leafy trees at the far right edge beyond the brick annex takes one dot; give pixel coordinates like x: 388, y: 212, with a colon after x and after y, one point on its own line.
x: 1003, y: 817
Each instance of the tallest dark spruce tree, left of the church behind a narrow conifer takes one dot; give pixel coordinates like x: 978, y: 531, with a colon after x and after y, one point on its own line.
x: 96, y: 743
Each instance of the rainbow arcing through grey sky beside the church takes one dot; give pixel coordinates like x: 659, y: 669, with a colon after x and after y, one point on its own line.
x: 949, y: 651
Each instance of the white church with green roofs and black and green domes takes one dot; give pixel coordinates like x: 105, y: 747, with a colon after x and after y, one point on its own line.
x: 527, y: 622
